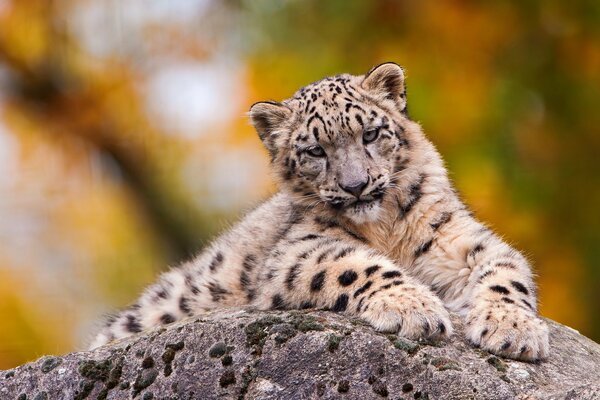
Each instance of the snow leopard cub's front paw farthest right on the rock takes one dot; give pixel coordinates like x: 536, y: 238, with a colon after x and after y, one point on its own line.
x: 511, y: 332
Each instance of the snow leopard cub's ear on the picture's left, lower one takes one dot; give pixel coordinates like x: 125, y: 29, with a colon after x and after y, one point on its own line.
x: 268, y: 117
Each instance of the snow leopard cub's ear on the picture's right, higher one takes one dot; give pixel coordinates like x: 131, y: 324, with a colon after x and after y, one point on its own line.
x: 386, y: 82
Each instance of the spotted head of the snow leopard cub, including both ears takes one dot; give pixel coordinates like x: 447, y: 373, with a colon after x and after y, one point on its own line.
x: 338, y: 142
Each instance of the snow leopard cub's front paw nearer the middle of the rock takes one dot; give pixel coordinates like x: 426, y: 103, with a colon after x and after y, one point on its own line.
x: 410, y: 311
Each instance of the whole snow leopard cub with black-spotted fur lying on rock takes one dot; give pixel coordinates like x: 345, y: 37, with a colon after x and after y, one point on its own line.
x: 368, y: 227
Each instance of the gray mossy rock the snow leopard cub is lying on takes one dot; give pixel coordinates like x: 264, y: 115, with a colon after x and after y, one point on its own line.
x: 303, y: 355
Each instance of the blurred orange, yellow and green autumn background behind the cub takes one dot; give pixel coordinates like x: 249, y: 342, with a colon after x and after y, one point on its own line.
x: 124, y: 146
